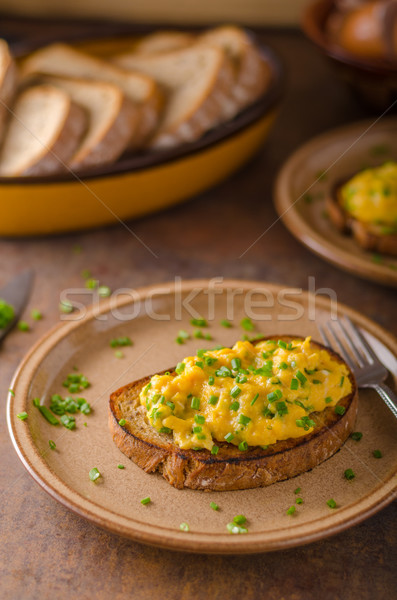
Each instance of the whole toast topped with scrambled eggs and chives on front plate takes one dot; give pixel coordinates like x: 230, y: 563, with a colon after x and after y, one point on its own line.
x: 188, y: 445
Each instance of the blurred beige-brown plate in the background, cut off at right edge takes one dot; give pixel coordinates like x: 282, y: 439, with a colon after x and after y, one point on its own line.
x: 307, y: 178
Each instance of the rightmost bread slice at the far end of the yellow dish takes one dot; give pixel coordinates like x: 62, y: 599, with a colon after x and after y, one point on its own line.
x: 252, y: 73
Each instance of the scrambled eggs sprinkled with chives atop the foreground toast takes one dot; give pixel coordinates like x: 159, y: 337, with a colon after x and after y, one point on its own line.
x: 246, y: 395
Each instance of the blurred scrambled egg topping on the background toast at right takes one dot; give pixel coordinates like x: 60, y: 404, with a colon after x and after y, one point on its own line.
x: 371, y: 196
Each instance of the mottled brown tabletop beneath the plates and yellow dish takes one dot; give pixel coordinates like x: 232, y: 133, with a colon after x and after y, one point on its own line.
x: 48, y: 552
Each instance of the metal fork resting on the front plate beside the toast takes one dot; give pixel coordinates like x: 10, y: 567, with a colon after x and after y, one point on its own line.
x: 367, y: 368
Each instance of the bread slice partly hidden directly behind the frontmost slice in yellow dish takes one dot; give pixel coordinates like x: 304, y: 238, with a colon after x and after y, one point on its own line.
x: 113, y: 120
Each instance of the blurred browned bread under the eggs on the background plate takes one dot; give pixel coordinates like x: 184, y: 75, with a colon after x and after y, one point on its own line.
x: 369, y: 236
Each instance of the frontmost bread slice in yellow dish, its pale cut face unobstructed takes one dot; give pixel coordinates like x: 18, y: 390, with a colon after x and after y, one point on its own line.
x: 43, y: 133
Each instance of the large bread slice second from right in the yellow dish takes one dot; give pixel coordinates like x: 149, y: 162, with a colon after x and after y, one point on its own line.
x: 197, y: 81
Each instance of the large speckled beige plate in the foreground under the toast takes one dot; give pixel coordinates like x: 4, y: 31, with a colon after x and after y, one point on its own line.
x: 152, y: 319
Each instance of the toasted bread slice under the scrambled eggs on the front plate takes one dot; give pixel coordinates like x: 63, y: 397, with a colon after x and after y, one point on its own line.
x: 230, y: 469
